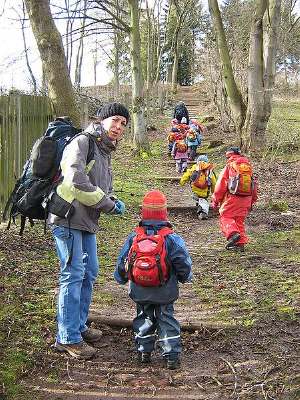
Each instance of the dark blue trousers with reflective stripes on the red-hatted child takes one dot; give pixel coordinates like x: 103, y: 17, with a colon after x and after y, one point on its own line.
x: 157, y: 320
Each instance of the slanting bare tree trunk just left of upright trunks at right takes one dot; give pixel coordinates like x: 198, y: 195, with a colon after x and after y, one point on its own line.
x: 236, y: 103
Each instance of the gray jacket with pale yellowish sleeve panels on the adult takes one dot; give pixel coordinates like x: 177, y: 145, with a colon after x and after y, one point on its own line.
x: 86, y: 186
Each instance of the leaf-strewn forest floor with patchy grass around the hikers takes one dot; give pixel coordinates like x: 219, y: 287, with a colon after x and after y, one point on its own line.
x: 246, y: 305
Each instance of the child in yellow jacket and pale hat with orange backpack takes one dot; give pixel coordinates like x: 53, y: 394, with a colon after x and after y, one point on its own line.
x: 203, y: 181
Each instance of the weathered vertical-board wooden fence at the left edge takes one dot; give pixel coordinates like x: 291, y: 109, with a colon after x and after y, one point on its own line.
x: 23, y: 119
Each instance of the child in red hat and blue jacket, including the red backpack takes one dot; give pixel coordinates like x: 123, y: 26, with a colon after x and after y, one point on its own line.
x: 154, y: 259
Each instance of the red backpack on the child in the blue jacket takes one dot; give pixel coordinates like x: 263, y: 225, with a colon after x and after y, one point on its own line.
x: 147, y: 258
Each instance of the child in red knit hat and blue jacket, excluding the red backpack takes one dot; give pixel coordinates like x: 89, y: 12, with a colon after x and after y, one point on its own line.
x: 155, y: 304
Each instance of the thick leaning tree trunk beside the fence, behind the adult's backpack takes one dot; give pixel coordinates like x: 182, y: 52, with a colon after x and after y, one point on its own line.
x: 53, y: 59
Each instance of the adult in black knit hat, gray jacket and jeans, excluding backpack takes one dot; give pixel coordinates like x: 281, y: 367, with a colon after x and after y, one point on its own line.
x: 86, y: 187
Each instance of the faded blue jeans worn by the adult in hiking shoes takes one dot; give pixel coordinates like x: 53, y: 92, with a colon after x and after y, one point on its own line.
x: 79, y: 266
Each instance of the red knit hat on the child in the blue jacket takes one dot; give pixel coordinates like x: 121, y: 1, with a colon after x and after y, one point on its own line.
x: 155, y: 206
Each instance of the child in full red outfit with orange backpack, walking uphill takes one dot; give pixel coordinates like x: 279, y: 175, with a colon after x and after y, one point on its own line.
x: 234, y: 194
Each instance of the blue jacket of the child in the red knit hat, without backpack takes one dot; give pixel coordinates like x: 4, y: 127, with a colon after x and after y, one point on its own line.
x: 180, y: 271
